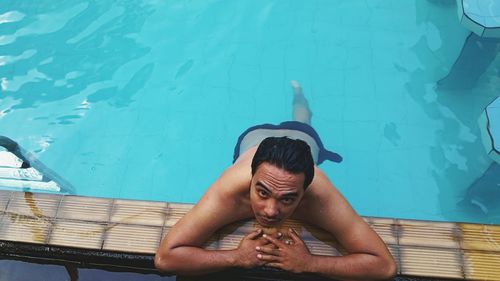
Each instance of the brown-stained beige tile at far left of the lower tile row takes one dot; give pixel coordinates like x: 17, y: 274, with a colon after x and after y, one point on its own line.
x: 20, y: 228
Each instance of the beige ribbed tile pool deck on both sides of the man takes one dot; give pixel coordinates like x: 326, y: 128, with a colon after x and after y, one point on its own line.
x: 102, y: 231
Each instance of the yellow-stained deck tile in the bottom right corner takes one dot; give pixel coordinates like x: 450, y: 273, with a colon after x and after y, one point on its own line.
x: 481, y: 265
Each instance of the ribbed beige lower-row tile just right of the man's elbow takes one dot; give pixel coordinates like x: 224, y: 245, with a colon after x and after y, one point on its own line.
x: 430, y: 262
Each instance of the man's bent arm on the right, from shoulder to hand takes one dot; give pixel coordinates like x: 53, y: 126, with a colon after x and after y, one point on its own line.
x: 367, y: 256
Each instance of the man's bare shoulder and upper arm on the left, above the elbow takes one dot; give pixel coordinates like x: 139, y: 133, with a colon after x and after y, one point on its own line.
x: 225, y: 201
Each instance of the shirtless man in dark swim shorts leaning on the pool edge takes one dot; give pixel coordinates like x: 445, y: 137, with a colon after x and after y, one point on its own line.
x: 273, y: 179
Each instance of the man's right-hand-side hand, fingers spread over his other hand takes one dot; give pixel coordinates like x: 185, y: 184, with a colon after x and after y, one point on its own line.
x: 287, y: 255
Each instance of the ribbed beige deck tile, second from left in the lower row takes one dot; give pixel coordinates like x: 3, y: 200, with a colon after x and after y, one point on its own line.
x: 78, y: 234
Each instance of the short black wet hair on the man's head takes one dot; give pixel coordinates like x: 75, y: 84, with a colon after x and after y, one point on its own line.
x: 291, y: 155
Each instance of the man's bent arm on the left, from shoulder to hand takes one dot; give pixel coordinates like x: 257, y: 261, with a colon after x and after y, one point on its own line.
x: 225, y: 202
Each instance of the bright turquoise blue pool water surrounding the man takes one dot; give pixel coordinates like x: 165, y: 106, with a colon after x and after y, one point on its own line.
x: 146, y: 99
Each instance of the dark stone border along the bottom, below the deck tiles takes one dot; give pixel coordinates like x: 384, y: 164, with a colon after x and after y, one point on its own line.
x: 139, y: 263
